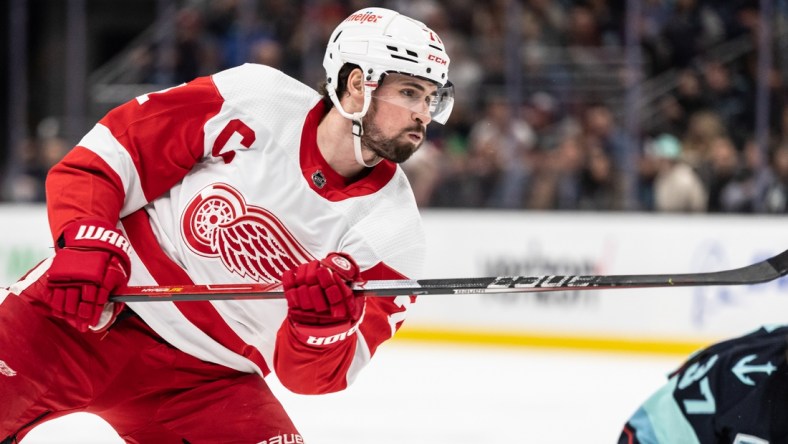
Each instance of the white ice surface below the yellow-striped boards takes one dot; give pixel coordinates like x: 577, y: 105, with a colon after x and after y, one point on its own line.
x: 421, y: 393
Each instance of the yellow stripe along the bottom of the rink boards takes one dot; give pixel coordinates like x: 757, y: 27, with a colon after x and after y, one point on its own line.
x: 545, y: 340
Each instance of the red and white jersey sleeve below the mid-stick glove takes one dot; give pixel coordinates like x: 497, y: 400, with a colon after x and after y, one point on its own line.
x: 309, y: 369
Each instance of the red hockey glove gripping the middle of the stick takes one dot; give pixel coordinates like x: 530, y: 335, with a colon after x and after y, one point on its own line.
x: 319, y: 295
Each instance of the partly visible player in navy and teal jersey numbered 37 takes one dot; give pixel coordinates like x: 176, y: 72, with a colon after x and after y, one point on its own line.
x: 733, y: 392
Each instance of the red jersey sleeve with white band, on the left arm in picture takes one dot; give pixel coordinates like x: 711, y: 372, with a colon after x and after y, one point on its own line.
x: 135, y: 153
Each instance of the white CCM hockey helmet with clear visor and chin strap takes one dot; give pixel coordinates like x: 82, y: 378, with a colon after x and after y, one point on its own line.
x: 382, y: 41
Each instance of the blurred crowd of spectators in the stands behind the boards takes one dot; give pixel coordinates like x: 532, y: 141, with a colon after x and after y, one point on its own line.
x: 534, y: 126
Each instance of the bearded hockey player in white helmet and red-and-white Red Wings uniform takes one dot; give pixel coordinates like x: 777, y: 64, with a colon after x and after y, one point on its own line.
x: 243, y: 176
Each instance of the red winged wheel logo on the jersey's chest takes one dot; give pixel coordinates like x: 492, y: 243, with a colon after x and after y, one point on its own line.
x: 250, y: 240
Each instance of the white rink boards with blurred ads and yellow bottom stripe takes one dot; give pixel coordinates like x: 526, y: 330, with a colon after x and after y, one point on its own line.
x: 494, y: 243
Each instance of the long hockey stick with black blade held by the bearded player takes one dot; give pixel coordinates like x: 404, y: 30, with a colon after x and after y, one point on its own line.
x: 764, y: 271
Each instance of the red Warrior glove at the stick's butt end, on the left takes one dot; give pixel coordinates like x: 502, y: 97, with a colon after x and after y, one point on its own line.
x: 91, y: 261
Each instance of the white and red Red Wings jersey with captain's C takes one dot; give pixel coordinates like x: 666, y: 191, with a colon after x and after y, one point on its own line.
x: 220, y: 181
